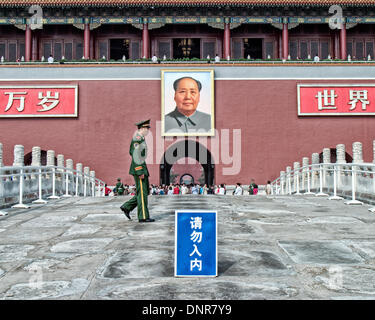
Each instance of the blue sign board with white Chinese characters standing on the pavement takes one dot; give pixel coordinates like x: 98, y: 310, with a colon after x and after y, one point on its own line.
x: 195, y: 243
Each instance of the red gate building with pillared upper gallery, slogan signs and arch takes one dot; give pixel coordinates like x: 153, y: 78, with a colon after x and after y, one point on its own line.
x: 294, y: 77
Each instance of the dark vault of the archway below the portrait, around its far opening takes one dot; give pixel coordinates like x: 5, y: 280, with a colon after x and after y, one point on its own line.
x: 187, y: 149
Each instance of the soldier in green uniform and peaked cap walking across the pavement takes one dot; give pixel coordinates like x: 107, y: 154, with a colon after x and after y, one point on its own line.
x: 138, y: 169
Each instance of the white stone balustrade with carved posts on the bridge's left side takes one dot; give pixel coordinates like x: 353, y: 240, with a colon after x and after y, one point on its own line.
x: 20, y: 184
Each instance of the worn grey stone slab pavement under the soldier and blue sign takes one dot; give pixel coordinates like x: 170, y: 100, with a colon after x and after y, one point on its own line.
x: 284, y: 247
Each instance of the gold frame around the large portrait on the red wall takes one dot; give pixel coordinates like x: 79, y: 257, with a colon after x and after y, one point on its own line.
x: 211, y: 95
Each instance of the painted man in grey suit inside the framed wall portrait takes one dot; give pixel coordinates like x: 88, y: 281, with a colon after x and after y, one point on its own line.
x: 185, y: 118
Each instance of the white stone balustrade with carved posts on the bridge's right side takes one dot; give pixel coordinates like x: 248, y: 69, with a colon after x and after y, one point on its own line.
x: 354, y: 181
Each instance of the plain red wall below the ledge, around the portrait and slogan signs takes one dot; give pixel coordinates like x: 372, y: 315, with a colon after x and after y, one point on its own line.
x: 272, y: 134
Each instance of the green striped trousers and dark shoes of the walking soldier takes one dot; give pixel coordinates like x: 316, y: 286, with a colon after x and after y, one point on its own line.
x: 140, y: 198
